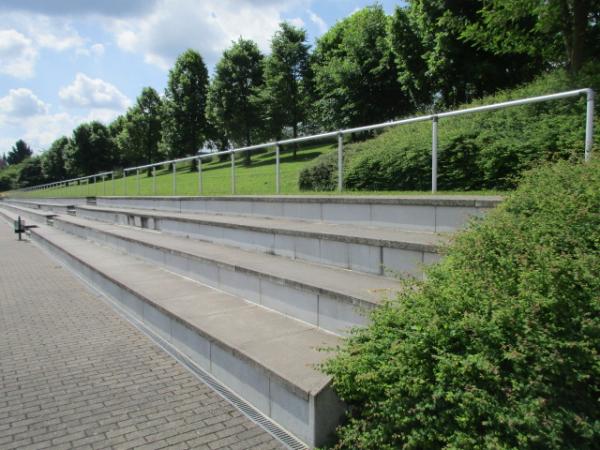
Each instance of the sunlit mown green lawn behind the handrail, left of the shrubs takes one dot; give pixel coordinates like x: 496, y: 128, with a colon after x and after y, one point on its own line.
x: 256, y: 179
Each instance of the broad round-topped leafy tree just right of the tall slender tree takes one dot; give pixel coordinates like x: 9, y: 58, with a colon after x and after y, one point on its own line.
x: 356, y: 80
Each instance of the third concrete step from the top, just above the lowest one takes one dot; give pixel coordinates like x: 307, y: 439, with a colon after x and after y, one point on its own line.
x: 331, y: 298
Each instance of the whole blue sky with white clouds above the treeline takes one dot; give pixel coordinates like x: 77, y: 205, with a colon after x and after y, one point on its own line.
x: 63, y: 62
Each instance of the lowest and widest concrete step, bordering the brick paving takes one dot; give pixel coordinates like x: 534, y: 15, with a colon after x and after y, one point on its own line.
x: 265, y: 357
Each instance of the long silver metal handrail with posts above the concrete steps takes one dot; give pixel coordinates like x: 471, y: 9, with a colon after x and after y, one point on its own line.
x: 434, y: 118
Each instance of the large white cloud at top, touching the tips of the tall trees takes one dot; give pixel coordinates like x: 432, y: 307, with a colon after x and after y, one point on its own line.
x: 209, y: 26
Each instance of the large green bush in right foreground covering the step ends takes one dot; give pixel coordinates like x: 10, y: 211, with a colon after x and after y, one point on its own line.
x: 498, y: 348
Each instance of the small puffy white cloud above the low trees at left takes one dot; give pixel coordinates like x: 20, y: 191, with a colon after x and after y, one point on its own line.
x: 86, y: 92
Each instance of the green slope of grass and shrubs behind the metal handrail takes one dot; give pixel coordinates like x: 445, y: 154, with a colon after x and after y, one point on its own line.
x: 484, y: 152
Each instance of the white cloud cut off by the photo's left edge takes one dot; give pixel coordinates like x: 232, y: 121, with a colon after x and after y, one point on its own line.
x: 17, y: 54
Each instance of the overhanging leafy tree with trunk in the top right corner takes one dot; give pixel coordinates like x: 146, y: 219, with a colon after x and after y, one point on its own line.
x: 559, y: 31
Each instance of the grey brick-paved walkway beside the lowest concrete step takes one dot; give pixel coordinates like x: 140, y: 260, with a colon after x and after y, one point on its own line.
x: 74, y: 374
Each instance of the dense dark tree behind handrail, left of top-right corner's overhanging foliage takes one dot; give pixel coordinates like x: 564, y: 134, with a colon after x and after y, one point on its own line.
x: 435, y: 62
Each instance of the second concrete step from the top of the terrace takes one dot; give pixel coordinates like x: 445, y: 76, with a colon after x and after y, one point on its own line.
x: 375, y: 250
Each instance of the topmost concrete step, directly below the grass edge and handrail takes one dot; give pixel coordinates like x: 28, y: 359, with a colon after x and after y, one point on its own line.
x: 421, y: 213
